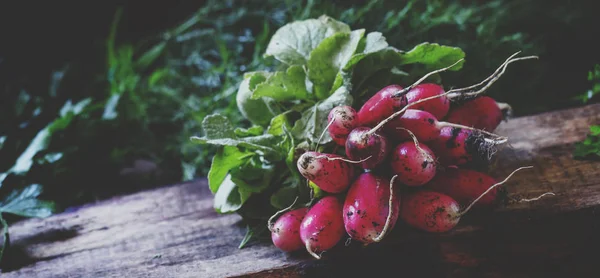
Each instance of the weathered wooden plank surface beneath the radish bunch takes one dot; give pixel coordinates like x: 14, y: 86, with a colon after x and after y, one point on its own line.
x: 174, y: 232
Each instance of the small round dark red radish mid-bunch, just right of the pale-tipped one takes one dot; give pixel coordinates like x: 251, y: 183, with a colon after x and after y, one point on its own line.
x: 370, y: 148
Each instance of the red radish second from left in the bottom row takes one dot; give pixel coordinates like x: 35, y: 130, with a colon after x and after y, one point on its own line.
x: 323, y: 226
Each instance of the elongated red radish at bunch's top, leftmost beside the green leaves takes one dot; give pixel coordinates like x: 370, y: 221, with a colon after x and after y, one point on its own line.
x: 380, y: 106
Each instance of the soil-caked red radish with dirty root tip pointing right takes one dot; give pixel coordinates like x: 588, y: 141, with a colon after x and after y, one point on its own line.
x: 457, y: 146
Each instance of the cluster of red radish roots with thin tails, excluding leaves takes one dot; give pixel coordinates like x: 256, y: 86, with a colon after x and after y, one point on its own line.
x: 397, y: 140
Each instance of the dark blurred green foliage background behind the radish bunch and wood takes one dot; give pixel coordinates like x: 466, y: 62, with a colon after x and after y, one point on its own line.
x: 147, y: 92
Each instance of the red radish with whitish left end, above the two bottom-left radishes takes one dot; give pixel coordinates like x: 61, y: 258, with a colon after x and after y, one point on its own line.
x: 328, y: 171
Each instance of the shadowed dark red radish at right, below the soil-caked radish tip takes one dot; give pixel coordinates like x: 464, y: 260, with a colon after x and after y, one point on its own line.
x: 464, y: 185
